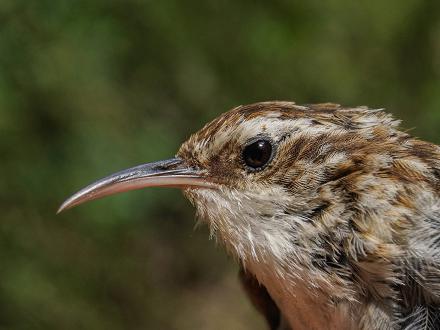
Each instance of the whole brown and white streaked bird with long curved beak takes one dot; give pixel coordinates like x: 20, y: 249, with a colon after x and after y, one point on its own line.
x: 332, y: 212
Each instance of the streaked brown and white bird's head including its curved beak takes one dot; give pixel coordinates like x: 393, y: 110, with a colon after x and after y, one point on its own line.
x: 272, y: 180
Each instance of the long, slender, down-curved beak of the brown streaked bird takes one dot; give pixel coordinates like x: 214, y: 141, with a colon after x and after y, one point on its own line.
x: 169, y: 173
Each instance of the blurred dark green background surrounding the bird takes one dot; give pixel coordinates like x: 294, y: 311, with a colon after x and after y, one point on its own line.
x: 90, y: 87
